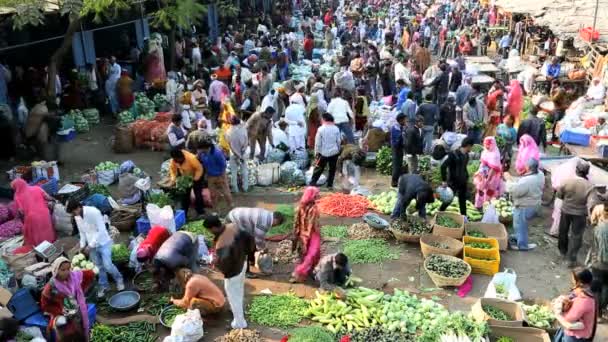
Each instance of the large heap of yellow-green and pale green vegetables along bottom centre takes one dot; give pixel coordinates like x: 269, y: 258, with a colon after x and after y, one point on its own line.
x: 403, y: 312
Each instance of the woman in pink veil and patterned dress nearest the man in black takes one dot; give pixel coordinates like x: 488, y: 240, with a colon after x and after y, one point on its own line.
x: 488, y: 179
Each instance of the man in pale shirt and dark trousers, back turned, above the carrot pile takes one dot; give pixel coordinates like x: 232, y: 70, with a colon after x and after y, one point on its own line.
x: 327, y: 149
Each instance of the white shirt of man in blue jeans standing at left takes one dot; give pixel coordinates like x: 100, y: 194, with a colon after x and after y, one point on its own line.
x: 92, y: 228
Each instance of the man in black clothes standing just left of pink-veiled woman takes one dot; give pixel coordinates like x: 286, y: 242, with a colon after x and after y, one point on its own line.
x: 455, y: 175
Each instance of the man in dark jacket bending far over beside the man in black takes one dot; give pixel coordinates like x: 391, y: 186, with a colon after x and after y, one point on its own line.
x: 412, y: 187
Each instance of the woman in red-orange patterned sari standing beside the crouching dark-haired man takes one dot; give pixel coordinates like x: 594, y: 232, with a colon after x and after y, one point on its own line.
x: 307, y: 235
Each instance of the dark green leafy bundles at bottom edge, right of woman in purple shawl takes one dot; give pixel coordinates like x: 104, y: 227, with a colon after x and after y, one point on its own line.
x: 132, y: 332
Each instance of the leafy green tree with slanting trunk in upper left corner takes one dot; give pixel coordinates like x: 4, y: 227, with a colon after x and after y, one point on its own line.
x: 170, y: 14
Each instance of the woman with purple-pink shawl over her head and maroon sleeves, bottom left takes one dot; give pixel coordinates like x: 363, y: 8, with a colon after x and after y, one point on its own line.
x: 64, y: 300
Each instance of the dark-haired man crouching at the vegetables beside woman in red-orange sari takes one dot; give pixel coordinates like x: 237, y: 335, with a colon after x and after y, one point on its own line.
x: 332, y: 271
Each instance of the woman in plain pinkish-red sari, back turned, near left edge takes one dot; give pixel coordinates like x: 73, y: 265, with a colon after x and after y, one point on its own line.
x: 32, y: 206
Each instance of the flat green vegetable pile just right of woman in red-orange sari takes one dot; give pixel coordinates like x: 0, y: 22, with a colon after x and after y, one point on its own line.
x: 371, y: 251
